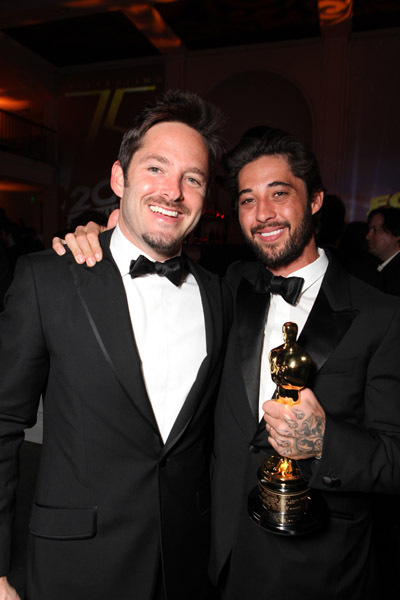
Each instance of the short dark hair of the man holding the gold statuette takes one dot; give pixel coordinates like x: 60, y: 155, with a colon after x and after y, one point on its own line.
x: 266, y: 141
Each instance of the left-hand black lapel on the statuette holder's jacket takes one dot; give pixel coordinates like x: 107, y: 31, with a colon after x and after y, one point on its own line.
x: 251, y: 310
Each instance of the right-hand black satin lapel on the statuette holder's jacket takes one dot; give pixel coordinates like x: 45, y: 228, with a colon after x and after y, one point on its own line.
x: 330, y: 317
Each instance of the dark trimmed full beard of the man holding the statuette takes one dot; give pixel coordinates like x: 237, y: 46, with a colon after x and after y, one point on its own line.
x: 293, y: 248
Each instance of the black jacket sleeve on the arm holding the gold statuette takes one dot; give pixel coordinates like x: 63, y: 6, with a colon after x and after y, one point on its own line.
x: 363, y: 455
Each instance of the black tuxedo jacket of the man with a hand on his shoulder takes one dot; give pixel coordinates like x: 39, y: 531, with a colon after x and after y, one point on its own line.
x: 112, y: 500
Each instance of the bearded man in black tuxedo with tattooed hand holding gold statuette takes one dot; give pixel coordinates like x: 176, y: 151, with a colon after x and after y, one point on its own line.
x: 344, y: 433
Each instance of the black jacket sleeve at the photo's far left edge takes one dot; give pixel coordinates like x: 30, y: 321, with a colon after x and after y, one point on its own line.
x: 23, y: 374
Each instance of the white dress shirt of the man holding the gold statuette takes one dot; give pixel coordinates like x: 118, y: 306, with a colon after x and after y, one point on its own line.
x: 280, y: 312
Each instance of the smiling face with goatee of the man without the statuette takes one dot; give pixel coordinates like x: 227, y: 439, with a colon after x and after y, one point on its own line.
x: 163, y: 199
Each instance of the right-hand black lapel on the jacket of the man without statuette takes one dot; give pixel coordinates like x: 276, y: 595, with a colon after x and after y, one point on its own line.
x: 210, y: 296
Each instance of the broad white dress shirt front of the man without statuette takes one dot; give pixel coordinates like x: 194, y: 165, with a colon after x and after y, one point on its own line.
x: 169, y: 328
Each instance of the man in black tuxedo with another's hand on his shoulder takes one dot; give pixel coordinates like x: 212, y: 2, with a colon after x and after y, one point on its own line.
x: 128, y: 356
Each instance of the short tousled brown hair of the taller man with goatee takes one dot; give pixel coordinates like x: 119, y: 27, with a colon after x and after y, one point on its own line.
x: 182, y: 107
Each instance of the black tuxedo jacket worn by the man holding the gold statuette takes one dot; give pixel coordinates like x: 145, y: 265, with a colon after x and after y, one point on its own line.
x: 352, y: 335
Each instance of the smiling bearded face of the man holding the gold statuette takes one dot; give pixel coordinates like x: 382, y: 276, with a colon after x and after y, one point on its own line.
x: 276, y: 216
